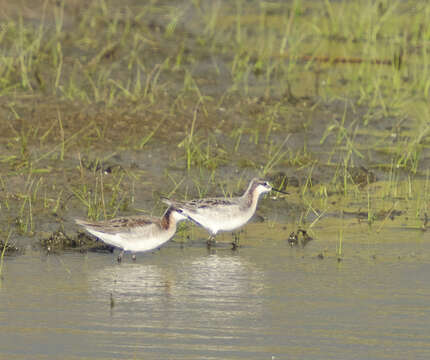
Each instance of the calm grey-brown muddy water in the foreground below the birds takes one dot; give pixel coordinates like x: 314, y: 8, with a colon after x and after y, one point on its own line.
x: 264, y: 301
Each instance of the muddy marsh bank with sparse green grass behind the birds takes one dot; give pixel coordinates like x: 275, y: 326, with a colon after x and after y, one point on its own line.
x: 185, y: 97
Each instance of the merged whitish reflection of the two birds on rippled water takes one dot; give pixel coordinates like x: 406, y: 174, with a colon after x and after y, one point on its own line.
x: 198, y: 288
